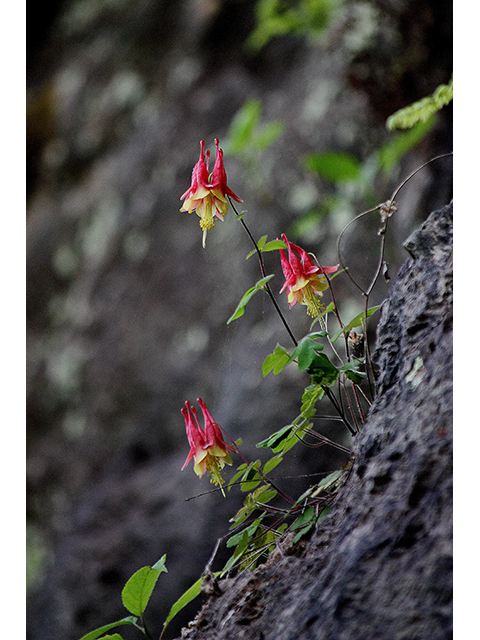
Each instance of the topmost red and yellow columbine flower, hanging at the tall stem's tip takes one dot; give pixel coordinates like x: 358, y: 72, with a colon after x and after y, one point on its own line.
x: 207, y: 195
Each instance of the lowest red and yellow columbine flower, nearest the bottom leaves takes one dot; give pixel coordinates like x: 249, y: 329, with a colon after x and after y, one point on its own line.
x: 207, y: 447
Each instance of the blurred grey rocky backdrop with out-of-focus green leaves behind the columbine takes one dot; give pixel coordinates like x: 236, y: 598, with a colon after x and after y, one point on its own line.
x: 126, y: 313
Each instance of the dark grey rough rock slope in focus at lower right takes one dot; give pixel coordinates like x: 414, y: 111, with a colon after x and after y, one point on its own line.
x: 380, y: 565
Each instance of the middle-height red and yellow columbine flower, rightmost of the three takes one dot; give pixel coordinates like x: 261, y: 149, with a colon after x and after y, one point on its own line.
x: 303, y: 280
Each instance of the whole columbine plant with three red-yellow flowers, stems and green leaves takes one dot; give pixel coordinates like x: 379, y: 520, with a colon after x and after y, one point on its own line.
x: 337, y: 366
